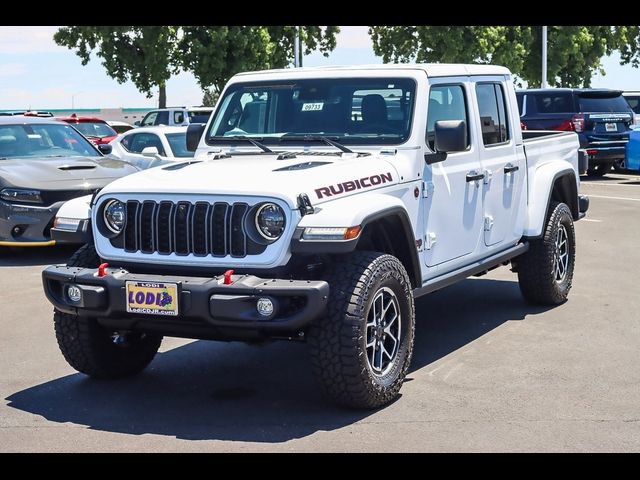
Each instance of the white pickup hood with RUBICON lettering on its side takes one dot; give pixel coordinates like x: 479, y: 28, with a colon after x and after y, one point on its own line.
x: 321, y: 177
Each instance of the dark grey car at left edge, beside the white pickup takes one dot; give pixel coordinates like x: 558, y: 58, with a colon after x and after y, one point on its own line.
x: 43, y: 163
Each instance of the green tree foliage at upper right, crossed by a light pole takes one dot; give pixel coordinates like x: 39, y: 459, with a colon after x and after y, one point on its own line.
x: 574, y: 52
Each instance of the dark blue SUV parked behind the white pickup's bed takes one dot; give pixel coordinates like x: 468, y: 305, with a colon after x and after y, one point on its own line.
x: 602, y: 119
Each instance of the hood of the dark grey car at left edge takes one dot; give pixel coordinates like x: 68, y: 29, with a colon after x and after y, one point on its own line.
x: 65, y: 173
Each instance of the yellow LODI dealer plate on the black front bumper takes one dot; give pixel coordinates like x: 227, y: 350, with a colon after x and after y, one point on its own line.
x: 152, y: 298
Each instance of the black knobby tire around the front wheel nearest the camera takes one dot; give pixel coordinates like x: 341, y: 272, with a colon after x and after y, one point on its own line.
x: 338, y: 341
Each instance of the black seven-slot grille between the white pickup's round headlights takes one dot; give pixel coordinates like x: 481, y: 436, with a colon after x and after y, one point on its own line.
x: 199, y: 228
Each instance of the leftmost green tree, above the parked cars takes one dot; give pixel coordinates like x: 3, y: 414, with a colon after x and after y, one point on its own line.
x: 147, y: 56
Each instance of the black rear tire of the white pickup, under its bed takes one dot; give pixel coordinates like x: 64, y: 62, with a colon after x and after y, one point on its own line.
x: 537, y: 267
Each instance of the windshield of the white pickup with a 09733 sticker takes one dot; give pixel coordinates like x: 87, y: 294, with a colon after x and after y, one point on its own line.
x: 351, y: 110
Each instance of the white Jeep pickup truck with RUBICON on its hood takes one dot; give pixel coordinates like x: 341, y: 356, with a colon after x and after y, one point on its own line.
x: 320, y: 203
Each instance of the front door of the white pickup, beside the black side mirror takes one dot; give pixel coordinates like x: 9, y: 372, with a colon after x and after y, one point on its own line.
x: 452, y: 199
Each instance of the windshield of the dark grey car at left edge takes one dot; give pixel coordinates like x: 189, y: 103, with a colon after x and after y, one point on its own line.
x: 43, y: 140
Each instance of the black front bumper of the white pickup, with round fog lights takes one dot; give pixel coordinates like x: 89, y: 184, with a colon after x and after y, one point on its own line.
x: 207, y: 308
